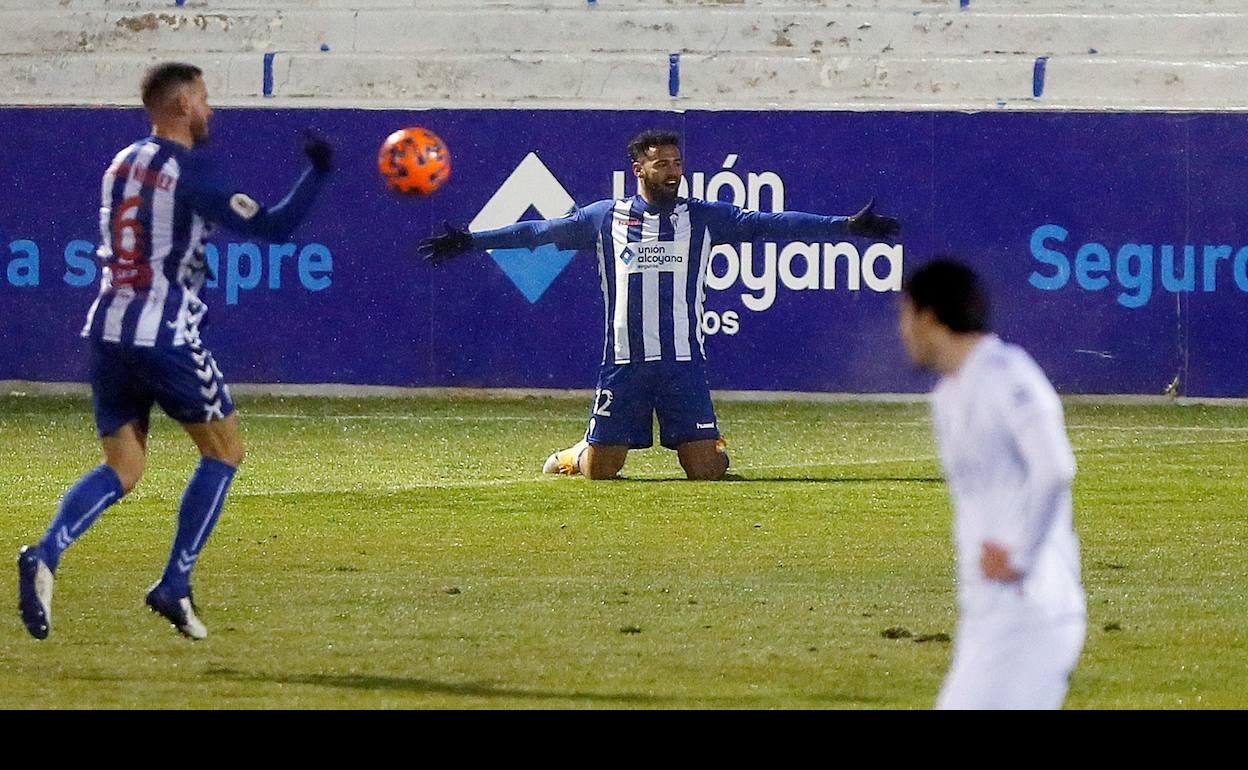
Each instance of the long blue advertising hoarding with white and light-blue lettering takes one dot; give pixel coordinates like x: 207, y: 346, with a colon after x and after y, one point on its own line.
x: 1115, y: 245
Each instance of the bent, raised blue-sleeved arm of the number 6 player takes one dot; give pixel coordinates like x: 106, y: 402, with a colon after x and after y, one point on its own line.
x: 243, y: 214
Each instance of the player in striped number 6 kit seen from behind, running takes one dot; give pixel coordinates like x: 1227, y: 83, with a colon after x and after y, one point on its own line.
x: 160, y: 202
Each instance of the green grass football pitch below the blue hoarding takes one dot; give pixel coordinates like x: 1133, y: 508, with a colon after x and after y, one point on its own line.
x: 392, y: 553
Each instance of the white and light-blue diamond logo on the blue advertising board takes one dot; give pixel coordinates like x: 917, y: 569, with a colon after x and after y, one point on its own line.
x: 531, y: 187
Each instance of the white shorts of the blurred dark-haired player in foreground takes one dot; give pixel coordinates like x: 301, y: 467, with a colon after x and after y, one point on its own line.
x: 1013, y: 665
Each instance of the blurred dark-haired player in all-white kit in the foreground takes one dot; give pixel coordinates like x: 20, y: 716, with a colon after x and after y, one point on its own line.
x: 1009, y: 465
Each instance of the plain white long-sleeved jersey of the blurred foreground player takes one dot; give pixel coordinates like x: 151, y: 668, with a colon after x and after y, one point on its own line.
x: 1009, y: 465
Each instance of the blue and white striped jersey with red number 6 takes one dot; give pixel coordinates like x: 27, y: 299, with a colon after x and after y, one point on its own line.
x: 160, y: 202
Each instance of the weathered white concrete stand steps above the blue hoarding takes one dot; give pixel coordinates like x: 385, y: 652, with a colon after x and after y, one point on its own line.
x: 642, y: 54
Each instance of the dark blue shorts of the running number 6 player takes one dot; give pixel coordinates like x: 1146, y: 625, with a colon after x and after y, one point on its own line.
x: 127, y: 380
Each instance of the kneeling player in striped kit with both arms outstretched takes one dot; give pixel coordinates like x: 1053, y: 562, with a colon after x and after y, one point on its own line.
x: 653, y: 254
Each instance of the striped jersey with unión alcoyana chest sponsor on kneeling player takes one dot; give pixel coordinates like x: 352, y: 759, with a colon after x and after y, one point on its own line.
x: 653, y: 261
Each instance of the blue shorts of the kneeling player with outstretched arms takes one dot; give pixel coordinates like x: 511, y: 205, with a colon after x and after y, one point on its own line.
x: 630, y: 395
